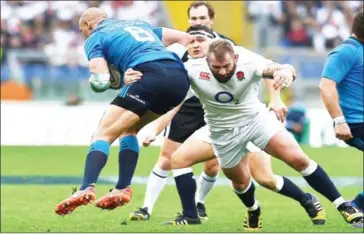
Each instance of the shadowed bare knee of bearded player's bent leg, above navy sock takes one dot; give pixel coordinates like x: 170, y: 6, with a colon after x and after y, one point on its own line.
x: 239, y: 174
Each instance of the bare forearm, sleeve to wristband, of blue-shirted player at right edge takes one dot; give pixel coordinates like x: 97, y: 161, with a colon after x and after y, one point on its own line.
x: 330, y: 98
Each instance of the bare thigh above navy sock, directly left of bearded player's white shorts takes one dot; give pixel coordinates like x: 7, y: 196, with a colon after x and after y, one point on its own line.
x: 192, y: 151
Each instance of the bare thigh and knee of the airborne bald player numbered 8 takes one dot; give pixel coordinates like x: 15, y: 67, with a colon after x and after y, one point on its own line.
x: 114, y: 122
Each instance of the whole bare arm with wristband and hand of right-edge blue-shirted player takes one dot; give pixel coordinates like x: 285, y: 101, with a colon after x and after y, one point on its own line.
x: 330, y: 97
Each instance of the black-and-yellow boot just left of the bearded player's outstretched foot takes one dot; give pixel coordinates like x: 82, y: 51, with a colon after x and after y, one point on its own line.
x: 314, y: 210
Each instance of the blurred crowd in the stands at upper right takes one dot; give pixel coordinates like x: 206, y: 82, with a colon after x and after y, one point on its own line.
x: 320, y: 25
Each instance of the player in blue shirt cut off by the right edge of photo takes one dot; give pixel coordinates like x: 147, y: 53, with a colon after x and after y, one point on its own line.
x: 341, y: 89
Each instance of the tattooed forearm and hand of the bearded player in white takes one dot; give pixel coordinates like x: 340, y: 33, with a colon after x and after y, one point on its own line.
x: 283, y: 74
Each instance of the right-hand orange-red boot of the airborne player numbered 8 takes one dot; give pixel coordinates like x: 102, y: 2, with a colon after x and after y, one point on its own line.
x: 116, y: 198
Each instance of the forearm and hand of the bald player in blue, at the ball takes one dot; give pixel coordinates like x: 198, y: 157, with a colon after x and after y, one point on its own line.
x: 100, y: 76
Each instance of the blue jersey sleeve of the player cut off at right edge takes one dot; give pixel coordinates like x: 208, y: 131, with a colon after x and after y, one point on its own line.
x: 339, y: 62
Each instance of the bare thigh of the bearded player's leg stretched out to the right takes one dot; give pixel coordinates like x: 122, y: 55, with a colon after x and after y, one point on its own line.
x: 284, y: 147
